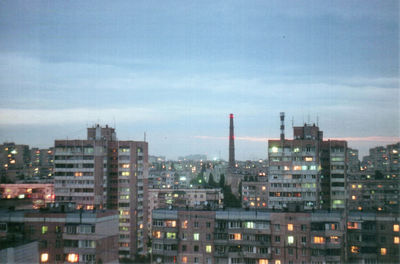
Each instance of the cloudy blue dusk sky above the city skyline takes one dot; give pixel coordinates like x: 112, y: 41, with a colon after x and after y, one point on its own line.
x: 175, y: 70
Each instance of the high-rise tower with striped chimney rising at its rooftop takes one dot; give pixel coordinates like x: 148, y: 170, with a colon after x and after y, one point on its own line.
x: 306, y: 170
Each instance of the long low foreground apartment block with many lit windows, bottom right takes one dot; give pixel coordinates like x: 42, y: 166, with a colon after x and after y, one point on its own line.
x: 262, y: 237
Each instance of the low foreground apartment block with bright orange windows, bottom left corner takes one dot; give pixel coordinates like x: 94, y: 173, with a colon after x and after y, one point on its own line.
x: 65, y: 237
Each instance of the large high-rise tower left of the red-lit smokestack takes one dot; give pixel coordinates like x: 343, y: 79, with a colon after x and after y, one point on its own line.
x: 103, y: 172
